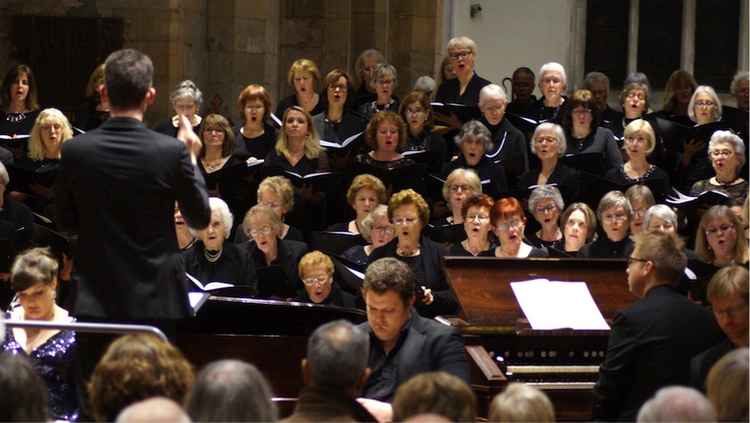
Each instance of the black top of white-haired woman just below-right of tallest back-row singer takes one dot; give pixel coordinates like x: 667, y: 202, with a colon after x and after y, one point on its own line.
x: 510, y: 149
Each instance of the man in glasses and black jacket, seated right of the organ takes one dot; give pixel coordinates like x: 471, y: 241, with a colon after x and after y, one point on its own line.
x: 651, y: 342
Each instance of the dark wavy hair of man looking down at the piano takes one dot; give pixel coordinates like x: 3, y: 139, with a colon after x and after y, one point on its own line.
x: 390, y: 274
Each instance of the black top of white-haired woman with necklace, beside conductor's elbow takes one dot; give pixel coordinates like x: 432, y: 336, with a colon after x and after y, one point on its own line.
x: 234, y: 266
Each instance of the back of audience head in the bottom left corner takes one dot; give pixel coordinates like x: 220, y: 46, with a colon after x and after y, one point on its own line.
x: 23, y: 394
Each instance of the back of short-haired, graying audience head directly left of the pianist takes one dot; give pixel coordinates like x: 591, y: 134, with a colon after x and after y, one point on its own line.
x: 337, y: 354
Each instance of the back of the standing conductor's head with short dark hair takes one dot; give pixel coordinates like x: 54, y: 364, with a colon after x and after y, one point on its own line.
x: 128, y: 75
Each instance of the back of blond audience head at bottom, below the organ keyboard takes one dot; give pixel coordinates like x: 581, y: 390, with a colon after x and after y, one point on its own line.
x: 521, y: 403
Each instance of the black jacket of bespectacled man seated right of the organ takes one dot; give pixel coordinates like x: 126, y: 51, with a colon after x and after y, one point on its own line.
x: 650, y: 347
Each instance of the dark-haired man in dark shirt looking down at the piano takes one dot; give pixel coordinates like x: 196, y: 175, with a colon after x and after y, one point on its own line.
x: 402, y: 343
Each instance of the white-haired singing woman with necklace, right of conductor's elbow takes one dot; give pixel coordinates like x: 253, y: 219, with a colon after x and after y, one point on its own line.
x: 212, y: 259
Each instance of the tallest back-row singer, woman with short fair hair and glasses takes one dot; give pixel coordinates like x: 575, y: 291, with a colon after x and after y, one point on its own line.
x: 464, y: 89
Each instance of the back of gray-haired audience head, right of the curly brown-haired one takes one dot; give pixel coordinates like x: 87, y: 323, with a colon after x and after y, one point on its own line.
x: 230, y: 390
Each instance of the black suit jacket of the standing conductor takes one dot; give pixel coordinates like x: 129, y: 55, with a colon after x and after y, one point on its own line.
x: 117, y: 189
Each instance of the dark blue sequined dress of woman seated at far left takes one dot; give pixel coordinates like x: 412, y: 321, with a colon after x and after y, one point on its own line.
x: 53, y: 360
